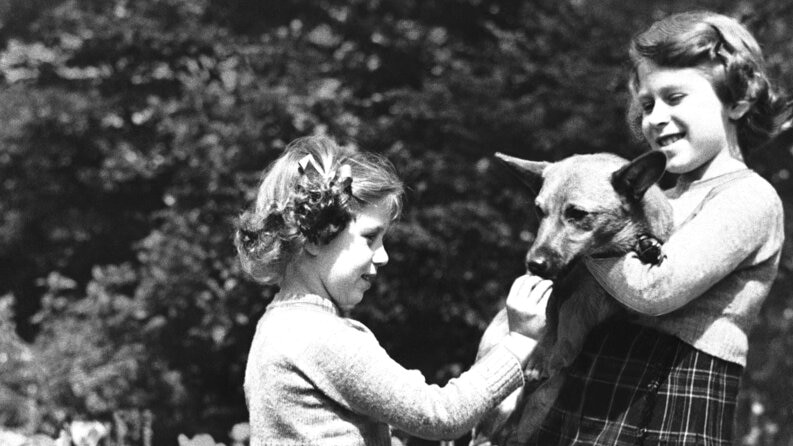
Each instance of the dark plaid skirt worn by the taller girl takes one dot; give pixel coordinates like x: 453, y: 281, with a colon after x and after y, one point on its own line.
x: 632, y: 385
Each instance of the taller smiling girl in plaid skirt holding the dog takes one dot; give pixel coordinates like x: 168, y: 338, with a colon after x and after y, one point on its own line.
x: 671, y: 375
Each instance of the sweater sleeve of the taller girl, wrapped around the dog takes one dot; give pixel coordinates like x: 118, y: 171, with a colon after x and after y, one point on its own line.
x: 739, y: 225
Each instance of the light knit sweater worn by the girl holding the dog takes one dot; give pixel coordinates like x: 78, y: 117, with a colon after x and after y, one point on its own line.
x: 721, y: 262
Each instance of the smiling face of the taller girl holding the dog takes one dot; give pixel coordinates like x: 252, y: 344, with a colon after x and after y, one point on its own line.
x: 683, y: 117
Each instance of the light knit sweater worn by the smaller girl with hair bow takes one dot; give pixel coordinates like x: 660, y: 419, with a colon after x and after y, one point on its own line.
x: 314, y: 377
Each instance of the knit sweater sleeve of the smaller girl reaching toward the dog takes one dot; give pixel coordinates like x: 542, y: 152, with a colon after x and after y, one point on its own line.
x: 355, y: 371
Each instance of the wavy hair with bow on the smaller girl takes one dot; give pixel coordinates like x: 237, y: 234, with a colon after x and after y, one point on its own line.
x: 310, y: 194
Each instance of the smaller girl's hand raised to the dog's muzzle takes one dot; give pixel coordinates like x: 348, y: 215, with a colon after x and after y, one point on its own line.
x: 526, y: 304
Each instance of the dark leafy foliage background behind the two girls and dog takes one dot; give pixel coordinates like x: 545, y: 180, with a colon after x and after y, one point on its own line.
x: 133, y: 133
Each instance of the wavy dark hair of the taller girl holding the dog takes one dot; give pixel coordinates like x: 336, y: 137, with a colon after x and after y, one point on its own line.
x: 727, y: 54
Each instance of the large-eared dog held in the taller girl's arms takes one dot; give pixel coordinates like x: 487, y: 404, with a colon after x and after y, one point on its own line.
x: 587, y: 205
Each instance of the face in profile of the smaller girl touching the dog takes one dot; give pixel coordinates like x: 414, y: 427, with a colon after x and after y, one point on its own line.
x: 347, y: 265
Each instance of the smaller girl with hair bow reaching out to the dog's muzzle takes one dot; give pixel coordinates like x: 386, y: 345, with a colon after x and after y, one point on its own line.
x: 313, y: 375
